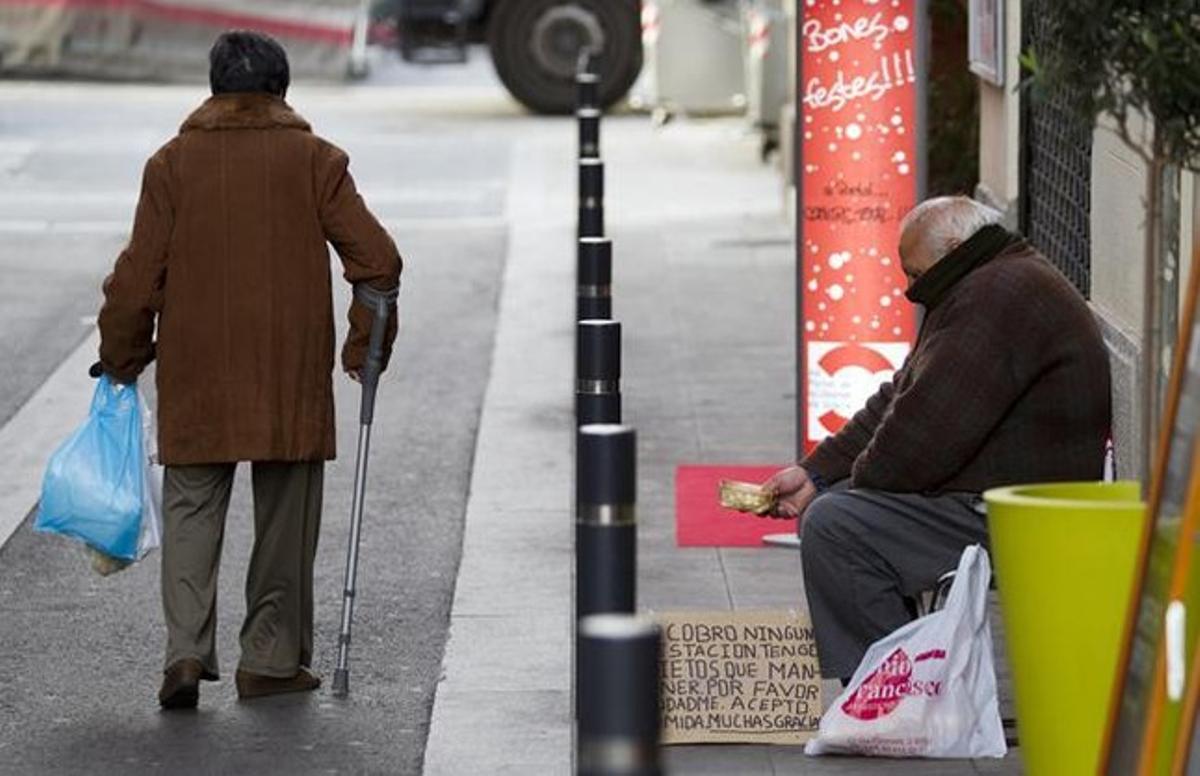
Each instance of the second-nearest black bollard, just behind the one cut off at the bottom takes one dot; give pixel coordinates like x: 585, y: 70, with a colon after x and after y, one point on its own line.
x: 605, y: 522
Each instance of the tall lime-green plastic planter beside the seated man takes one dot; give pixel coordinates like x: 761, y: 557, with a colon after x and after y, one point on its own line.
x: 1064, y: 557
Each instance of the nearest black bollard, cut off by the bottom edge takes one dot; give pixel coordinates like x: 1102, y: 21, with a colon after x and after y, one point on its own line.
x: 619, y: 696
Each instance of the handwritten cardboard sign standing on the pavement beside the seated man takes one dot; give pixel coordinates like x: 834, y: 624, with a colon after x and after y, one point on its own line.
x: 739, y: 678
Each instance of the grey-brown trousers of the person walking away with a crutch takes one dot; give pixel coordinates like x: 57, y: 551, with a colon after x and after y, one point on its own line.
x: 277, y: 635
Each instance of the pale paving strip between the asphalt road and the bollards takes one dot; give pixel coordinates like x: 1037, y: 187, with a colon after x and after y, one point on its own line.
x: 503, y: 706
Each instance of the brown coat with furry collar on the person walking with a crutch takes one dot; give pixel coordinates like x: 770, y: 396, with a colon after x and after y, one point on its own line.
x: 230, y: 255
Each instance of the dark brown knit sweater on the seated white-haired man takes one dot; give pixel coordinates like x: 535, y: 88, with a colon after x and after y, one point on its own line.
x: 1009, y: 383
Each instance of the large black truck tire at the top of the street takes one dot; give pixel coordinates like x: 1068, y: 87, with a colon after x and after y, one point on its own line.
x: 536, y: 45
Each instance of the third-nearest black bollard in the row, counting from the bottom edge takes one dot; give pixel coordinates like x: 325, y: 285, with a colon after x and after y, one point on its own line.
x: 597, y: 372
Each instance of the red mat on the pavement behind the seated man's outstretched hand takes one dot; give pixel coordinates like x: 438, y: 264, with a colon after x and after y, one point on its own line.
x: 703, y: 522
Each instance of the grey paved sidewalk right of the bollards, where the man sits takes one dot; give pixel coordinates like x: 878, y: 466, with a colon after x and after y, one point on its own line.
x: 709, y: 314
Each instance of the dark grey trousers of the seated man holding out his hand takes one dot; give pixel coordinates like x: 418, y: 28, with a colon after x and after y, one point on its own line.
x: 868, y: 555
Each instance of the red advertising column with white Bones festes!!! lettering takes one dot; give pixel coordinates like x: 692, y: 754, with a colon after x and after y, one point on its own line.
x: 859, y: 173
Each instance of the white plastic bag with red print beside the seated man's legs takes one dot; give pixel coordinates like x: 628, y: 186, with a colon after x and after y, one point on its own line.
x: 929, y: 689
